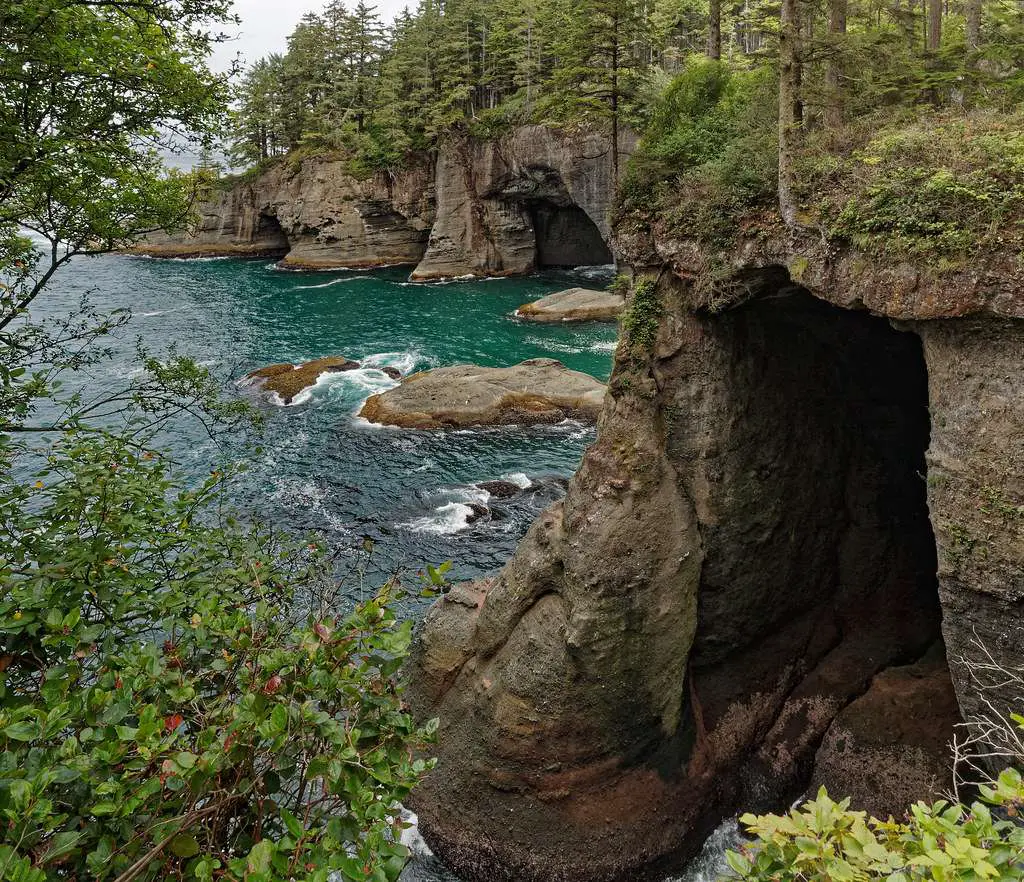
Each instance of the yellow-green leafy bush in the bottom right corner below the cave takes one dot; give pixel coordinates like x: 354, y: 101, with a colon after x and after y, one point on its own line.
x: 824, y: 841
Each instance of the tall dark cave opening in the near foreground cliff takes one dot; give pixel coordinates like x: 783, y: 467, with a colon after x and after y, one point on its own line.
x: 828, y: 480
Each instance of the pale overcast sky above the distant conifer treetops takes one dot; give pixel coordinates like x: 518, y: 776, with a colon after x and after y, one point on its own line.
x: 267, y: 24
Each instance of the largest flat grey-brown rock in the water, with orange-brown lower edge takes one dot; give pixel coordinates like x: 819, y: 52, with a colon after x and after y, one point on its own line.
x: 539, y: 391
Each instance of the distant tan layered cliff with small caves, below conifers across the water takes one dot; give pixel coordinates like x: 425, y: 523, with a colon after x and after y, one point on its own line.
x: 504, y: 207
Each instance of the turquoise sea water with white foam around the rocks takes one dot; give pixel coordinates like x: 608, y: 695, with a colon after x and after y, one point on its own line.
x: 314, y: 466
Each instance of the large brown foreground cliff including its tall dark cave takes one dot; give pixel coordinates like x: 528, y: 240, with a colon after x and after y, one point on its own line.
x: 793, y: 499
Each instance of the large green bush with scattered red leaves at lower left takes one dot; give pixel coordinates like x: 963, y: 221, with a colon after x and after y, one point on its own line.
x: 167, y: 711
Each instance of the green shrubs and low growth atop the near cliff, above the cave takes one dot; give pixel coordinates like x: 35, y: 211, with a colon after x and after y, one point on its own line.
x: 937, y: 188
